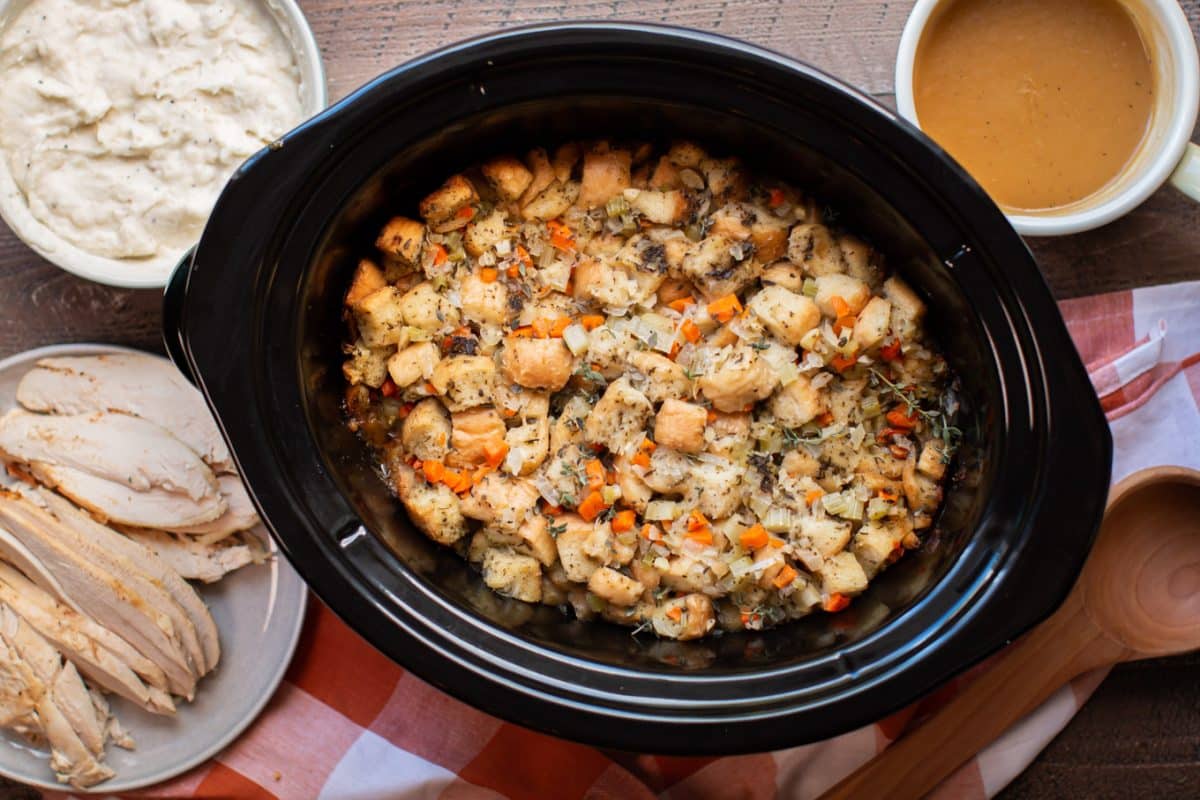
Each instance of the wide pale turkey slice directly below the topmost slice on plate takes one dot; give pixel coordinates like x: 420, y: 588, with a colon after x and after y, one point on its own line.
x: 122, y: 467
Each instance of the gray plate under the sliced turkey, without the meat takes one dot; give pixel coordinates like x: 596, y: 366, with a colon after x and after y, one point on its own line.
x: 259, y: 610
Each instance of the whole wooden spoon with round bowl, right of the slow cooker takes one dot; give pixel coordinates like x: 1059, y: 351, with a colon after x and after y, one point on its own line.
x: 1137, y: 598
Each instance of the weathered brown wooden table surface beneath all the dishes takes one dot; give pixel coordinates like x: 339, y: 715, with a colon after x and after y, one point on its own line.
x: 1141, y: 733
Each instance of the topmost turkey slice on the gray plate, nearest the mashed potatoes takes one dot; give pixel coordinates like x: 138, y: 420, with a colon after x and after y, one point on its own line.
x: 133, y: 383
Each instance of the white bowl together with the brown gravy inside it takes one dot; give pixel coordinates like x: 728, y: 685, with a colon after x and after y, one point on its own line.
x: 1069, y: 113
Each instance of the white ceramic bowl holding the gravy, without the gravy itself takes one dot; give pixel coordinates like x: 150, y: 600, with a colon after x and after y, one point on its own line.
x: 1166, y: 149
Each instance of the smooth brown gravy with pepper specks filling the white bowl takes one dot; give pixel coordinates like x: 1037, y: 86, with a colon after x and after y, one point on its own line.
x: 1045, y: 104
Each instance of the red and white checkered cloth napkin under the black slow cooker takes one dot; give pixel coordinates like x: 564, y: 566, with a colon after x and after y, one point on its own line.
x: 349, y: 724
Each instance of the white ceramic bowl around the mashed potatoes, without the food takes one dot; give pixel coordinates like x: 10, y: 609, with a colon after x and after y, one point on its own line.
x: 148, y: 274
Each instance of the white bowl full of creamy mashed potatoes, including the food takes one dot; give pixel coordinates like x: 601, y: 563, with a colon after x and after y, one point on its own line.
x: 121, y: 122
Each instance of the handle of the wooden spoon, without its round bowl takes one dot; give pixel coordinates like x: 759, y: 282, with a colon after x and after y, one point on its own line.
x: 1064, y: 647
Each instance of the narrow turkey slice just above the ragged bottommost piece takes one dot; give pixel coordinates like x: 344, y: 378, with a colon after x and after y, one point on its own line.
x: 100, y: 654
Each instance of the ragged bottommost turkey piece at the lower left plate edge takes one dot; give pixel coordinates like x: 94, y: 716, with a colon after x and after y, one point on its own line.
x: 70, y: 759
